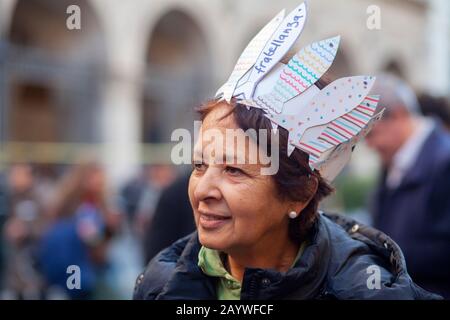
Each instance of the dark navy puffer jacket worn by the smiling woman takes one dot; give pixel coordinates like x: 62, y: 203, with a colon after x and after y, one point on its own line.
x: 341, y: 261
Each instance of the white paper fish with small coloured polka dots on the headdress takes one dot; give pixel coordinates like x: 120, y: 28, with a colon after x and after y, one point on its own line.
x: 335, y: 100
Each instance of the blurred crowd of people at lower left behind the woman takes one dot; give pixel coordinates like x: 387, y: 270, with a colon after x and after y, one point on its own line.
x: 53, y: 217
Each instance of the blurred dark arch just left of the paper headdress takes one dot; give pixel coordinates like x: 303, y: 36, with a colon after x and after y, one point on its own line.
x: 177, y: 78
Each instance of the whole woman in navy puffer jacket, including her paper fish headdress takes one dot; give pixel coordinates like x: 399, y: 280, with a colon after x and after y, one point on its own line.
x: 261, y: 236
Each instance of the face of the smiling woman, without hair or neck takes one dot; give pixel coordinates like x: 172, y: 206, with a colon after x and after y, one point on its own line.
x: 235, y: 207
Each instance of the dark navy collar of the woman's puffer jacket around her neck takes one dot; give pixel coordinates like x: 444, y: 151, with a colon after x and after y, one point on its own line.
x: 189, y: 282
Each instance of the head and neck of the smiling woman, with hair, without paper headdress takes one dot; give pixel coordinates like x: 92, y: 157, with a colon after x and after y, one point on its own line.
x: 257, y: 220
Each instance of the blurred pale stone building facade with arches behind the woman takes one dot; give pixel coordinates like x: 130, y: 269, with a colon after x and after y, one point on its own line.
x: 136, y: 68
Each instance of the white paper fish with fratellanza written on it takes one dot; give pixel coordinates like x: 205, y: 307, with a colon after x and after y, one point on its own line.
x: 280, y: 43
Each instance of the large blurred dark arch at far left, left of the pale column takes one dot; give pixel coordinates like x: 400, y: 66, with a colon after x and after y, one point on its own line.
x: 53, y: 74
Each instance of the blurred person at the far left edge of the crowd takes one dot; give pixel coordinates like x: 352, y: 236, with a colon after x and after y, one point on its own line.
x: 23, y: 228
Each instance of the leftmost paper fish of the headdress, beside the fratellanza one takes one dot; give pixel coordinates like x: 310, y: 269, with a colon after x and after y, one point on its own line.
x: 249, y: 56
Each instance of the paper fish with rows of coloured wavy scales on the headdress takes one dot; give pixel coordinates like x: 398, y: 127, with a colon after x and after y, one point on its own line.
x: 303, y: 70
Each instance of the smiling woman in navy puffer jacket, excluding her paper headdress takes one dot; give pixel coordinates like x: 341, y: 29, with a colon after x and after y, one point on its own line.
x: 249, y: 245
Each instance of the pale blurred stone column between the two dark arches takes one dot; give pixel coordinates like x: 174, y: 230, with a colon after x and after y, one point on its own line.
x: 122, y: 91
